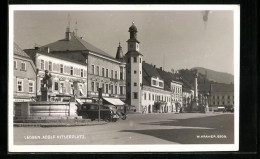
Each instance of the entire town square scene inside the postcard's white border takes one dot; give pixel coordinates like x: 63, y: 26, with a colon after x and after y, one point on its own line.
x: 123, y: 77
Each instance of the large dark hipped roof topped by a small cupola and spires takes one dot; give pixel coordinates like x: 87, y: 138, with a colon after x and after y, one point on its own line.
x: 75, y: 44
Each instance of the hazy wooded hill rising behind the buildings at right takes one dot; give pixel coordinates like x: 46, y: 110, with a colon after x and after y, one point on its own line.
x: 219, y: 77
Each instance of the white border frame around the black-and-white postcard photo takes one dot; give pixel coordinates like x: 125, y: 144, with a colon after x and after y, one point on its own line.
x: 126, y: 148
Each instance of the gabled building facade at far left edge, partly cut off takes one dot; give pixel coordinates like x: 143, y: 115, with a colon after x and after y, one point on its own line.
x: 24, y: 78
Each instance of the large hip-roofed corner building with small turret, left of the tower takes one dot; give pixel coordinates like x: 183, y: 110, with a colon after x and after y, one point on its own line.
x: 103, y: 70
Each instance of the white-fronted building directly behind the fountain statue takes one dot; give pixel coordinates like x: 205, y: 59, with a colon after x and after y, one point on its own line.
x: 69, y: 77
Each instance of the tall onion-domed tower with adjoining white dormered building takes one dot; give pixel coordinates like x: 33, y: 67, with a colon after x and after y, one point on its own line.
x: 145, y: 86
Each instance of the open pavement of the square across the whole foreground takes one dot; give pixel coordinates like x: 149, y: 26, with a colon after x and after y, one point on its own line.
x: 184, y: 128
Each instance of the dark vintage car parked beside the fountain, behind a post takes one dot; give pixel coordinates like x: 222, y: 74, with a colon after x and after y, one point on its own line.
x: 90, y: 111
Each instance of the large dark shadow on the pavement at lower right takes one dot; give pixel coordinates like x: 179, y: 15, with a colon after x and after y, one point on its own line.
x: 221, y: 130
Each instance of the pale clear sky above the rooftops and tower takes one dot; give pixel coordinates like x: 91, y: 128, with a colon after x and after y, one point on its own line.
x: 169, y: 39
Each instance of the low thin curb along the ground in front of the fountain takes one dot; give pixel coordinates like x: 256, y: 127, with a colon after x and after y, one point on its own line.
x: 56, y: 124
